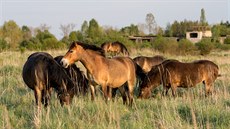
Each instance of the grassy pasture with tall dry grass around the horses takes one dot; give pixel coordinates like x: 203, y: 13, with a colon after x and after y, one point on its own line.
x: 190, y: 109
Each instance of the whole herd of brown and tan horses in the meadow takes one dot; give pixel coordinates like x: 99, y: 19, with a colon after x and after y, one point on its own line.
x: 43, y: 73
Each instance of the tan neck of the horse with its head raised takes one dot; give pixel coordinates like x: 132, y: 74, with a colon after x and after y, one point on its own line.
x: 89, y: 60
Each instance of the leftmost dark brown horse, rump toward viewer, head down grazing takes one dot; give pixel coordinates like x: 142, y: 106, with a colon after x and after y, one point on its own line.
x: 41, y: 73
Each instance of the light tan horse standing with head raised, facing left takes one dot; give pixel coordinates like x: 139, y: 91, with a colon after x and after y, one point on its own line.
x: 112, y: 73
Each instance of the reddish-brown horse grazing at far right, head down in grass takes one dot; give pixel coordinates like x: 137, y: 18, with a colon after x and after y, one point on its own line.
x: 173, y: 74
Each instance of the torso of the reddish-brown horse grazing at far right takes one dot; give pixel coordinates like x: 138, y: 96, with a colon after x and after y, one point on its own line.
x: 189, y: 74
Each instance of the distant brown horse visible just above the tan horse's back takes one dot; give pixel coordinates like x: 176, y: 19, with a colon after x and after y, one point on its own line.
x: 115, y: 48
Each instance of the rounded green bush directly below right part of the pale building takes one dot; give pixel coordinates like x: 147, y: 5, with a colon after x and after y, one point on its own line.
x: 205, y: 46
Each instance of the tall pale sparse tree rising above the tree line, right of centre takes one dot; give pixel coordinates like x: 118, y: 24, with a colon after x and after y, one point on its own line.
x: 151, y: 23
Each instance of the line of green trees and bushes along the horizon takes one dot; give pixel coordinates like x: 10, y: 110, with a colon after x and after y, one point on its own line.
x: 14, y: 37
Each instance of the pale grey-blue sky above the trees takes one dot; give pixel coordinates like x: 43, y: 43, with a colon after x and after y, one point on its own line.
x: 115, y: 13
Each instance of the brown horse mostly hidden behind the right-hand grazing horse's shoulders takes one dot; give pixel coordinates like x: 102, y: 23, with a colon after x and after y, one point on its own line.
x: 146, y: 63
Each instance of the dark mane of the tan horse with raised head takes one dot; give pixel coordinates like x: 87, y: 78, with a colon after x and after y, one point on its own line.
x: 88, y: 46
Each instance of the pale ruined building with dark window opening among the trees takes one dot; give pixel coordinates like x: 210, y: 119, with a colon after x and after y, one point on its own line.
x: 196, y: 33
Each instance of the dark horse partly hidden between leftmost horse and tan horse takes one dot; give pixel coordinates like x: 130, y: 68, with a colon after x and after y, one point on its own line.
x: 77, y: 76
